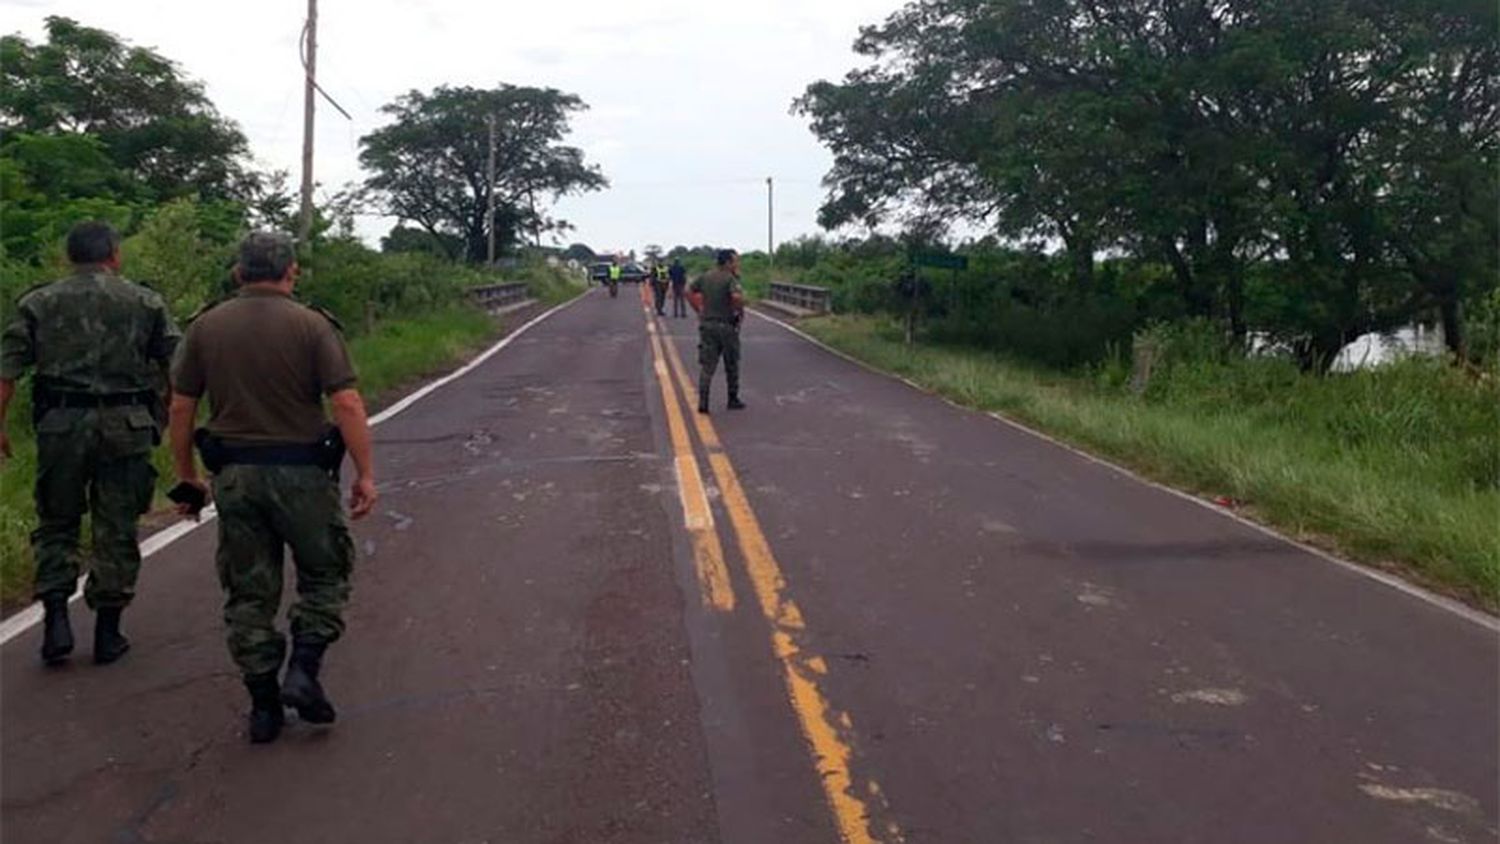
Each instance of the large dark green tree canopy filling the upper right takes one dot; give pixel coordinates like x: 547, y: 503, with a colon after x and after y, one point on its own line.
x: 1346, y: 148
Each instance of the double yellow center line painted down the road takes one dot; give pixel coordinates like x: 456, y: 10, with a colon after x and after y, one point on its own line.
x: 829, y: 732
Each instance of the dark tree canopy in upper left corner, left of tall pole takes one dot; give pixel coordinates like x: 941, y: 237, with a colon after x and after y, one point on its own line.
x: 155, y: 124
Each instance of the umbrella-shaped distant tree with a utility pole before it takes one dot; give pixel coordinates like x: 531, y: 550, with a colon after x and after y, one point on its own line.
x: 431, y: 164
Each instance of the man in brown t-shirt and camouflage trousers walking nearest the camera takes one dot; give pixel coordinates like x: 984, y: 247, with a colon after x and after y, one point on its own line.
x: 266, y: 364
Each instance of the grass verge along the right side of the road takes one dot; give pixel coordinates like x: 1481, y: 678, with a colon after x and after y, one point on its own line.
x: 1397, y: 467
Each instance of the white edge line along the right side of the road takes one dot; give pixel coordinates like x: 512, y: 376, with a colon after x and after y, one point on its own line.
x: 1442, y: 602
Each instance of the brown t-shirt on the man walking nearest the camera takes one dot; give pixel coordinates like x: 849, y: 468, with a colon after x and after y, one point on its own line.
x: 266, y: 364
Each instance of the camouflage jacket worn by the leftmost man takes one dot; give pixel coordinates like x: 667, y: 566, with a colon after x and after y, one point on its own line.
x: 92, y: 332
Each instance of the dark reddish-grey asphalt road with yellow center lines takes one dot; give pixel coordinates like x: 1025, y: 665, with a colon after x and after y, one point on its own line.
x: 583, y: 614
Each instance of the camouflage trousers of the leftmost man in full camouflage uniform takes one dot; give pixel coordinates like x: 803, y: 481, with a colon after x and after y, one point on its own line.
x: 95, y: 462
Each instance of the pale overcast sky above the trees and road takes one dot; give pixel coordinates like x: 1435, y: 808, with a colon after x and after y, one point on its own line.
x: 689, y: 100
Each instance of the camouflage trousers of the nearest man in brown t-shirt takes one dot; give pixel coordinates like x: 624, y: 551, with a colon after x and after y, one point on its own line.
x: 263, y: 510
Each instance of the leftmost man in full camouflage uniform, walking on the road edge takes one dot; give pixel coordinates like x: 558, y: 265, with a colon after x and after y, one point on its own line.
x: 98, y: 346
